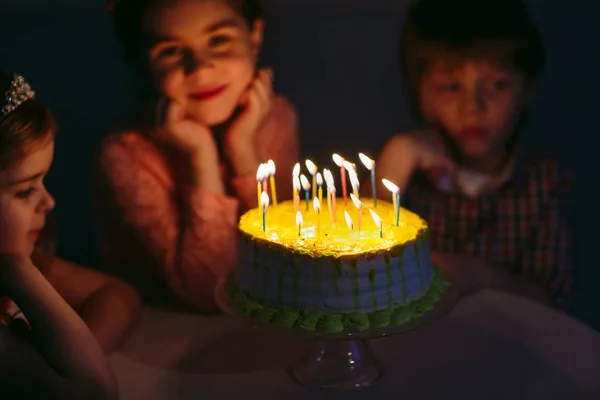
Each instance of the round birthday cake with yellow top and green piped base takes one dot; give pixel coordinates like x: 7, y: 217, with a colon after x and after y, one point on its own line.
x: 333, y: 269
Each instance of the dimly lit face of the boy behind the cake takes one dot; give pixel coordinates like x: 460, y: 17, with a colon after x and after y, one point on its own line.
x: 475, y: 102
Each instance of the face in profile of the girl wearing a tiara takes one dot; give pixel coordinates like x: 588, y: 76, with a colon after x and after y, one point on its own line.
x: 24, y: 201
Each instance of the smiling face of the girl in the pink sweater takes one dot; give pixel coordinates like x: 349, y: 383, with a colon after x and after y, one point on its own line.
x: 203, y: 55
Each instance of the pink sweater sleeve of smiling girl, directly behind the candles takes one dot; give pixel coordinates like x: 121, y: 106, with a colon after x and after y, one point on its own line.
x: 277, y: 141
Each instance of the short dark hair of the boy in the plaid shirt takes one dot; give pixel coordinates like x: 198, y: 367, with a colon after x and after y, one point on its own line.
x: 498, y: 30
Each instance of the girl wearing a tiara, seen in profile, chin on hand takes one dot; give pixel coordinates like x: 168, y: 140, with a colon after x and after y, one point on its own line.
x: 47, y: 350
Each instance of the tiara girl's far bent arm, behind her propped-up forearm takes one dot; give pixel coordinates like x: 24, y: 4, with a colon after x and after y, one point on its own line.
x: 108, y: 306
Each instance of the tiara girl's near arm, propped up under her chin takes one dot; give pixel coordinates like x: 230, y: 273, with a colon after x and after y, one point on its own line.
x: 65, y: 360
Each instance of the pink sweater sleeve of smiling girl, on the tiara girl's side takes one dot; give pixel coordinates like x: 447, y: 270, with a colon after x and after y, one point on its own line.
x: 191, y: 236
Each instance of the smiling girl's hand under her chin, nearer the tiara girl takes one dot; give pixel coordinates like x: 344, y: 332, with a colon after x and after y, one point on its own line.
x: 173, y: 126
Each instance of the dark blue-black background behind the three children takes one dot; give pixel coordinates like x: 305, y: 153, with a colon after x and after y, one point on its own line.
x: 336, y: 61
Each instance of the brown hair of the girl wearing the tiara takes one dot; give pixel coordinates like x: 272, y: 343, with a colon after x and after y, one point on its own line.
x: 27, y: 128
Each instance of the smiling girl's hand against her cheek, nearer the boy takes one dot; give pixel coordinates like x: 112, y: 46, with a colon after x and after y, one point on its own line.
x: 256, y: 105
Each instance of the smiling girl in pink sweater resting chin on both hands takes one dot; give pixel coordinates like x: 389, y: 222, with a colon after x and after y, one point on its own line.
x: 171, y: 190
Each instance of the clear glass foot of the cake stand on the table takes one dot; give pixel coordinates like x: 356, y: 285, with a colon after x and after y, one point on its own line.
x: 338, y: 365
